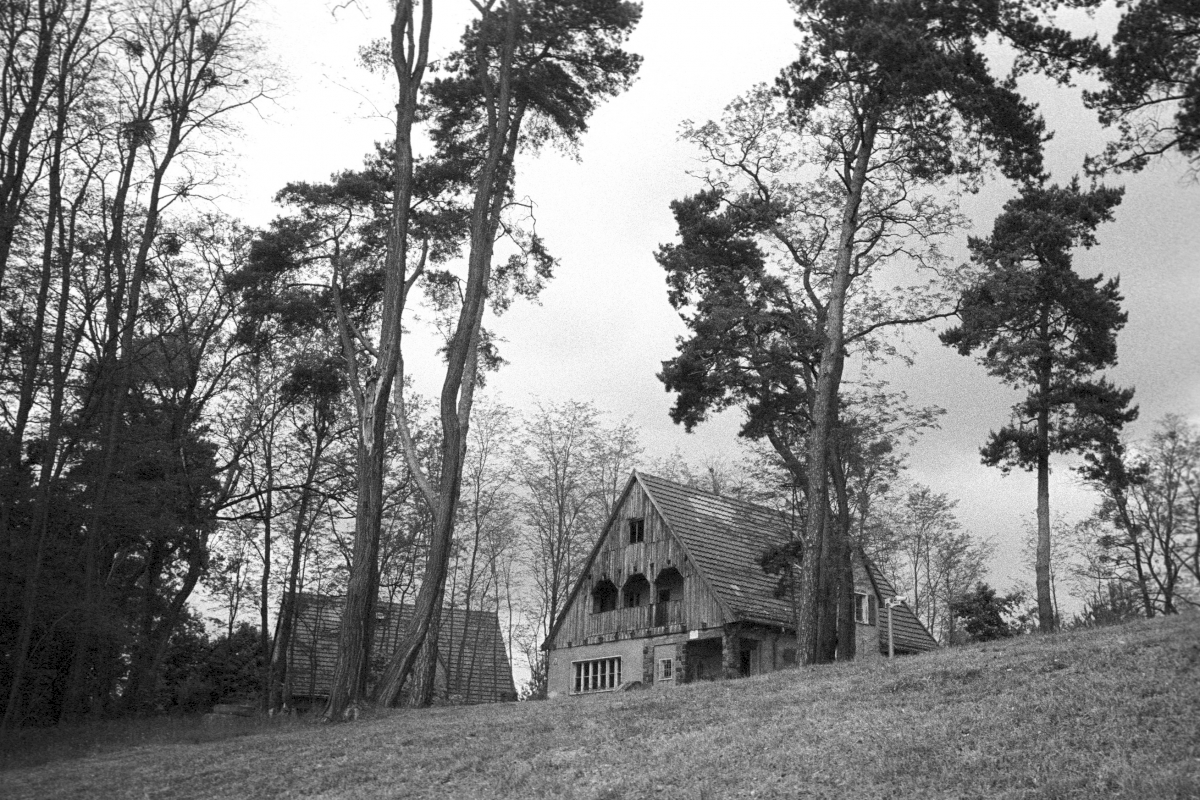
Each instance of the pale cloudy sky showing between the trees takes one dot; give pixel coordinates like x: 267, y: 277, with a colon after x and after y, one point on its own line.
x: 604, y: 326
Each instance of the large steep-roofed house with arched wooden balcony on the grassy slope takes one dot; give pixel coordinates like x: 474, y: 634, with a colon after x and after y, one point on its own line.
x: 674, y: 593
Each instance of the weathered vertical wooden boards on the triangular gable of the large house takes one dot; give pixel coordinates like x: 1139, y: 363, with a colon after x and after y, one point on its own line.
x: 617, y: 561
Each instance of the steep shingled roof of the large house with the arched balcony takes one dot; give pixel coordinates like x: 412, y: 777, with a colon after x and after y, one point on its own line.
x: 725, y: 538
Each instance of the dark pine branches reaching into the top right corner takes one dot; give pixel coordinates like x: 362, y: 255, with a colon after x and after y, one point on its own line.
x: 1151, y: 95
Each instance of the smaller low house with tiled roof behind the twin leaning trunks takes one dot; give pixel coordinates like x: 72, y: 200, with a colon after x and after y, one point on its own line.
x: 473, y: 664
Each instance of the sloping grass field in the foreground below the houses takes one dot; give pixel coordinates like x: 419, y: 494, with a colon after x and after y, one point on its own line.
x: 1102, y: 714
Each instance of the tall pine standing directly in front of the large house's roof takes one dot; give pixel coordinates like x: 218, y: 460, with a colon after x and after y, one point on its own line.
x: 869, y: 83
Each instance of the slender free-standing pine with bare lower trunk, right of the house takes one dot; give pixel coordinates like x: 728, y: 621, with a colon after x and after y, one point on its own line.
x: 1043, y: 328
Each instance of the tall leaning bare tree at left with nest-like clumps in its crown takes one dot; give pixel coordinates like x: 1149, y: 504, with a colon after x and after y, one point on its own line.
x: 185, y: 68
